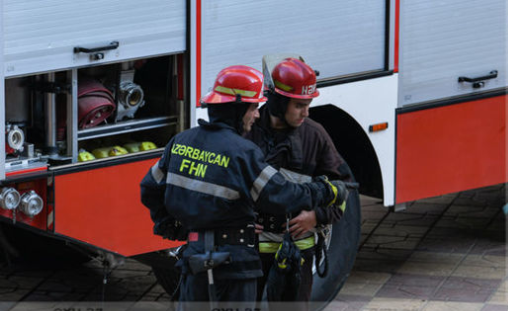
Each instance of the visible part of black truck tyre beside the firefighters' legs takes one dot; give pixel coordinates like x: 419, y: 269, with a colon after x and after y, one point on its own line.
x: 343, y: 243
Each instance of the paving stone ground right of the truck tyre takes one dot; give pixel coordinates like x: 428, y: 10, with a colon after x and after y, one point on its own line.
x: 444, y: 253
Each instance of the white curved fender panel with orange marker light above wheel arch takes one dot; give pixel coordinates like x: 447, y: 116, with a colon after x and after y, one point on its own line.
x: 379, y: 98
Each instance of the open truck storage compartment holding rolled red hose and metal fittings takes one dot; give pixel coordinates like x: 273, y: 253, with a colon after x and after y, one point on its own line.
x: 93, y: 113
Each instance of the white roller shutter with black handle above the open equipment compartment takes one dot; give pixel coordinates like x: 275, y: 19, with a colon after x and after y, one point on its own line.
x: 41, y: 35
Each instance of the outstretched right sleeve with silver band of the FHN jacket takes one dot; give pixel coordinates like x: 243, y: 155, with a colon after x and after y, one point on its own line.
x: 272, y: 193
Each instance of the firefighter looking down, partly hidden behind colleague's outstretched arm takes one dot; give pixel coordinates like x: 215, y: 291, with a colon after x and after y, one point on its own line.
x: 300, y: 149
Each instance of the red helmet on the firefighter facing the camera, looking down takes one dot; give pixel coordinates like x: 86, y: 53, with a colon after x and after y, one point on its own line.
x: 294, y: 78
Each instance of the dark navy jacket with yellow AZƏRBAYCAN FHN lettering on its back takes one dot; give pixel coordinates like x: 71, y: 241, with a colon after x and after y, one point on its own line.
x: 210, y: 177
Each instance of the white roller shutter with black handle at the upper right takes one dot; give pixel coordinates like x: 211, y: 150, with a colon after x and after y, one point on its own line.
x: 442, y: 40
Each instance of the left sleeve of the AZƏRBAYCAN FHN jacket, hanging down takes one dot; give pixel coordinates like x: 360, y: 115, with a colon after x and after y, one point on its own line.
x: 153, y: 188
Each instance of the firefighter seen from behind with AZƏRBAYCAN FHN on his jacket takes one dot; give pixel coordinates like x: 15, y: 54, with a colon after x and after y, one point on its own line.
x: 211, y: 180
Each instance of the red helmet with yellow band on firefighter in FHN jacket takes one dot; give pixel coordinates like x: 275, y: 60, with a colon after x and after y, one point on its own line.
x: 236, y: 83
